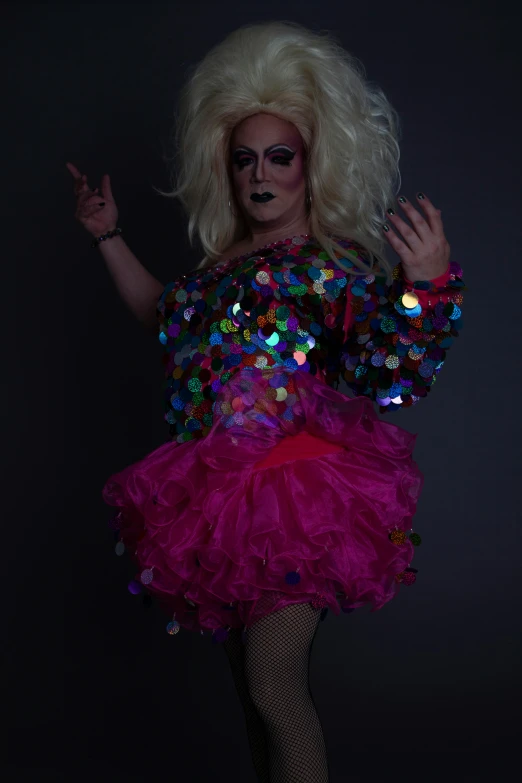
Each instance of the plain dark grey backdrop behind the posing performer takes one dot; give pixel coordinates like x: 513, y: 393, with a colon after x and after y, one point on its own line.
x: 92, y: 681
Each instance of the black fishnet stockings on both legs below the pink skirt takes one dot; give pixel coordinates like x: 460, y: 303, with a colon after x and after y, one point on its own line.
x: 271, y: 675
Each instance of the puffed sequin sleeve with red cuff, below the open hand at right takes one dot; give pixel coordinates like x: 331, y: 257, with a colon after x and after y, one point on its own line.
x: 393, y: 351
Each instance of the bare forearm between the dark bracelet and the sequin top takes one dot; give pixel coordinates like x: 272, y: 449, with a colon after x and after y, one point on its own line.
x: 137, y: 287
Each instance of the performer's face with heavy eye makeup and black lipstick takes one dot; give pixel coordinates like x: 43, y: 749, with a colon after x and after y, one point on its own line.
x: 267, y: 157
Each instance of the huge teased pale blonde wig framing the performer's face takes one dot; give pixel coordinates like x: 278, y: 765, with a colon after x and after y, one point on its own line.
x: 349, y: 129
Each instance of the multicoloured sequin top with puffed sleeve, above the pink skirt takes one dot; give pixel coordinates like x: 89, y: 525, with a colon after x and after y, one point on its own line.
x: 289, y: 304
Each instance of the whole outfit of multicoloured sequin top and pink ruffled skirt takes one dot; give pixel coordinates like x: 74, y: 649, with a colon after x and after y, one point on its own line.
x: 241, y: 342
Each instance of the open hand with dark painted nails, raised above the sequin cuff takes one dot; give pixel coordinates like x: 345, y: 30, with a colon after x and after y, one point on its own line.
x: 425, y: 252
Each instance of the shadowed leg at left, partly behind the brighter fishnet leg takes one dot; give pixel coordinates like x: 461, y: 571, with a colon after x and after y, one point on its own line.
x: 235, y: 651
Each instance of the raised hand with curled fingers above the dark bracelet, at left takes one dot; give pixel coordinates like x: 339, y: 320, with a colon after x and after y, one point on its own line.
x: 96, y: 219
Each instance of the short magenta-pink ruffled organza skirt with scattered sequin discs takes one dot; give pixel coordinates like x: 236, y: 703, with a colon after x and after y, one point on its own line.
x: 305, y: 499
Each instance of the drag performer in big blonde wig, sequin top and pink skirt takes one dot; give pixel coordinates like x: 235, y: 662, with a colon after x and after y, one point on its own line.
x: 276, y: 497
